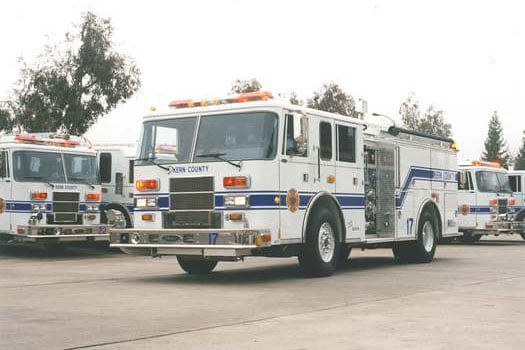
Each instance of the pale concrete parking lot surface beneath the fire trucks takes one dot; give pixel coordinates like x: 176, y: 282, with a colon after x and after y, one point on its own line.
x: 471, y: 296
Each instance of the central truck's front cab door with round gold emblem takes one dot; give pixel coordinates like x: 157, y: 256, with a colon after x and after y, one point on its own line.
x: 297, y: 173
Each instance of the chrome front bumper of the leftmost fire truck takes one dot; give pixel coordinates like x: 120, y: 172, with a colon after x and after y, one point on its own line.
x: 61, y: 233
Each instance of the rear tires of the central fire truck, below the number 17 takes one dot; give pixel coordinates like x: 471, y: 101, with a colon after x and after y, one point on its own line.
x: 422, y: 250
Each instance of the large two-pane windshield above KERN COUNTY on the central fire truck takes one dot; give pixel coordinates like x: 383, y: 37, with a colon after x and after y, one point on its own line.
x: 239, y: 136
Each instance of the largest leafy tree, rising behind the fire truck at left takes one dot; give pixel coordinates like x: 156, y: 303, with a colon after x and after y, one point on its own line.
x: 75, y: 82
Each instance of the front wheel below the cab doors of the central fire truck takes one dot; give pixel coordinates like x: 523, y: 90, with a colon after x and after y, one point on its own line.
x: 321, y: 251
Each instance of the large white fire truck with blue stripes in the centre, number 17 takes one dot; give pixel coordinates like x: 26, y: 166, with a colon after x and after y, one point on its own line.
x: 248, y: 175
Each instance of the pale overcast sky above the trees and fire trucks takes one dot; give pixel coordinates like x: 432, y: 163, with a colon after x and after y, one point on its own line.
x: 465, y: 57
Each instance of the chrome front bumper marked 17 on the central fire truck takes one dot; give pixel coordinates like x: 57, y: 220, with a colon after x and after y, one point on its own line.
x: 201, y: 242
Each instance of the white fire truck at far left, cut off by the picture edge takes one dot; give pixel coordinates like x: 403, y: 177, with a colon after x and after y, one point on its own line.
x: 49, y: 191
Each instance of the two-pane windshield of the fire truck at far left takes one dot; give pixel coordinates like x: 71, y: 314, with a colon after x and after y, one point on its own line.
x: 49, y: 167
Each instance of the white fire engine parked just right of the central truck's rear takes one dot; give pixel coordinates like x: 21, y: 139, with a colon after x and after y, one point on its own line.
x: 485, y: 201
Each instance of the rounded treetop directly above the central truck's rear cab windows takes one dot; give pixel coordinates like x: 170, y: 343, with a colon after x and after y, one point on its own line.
x: 332, y: 98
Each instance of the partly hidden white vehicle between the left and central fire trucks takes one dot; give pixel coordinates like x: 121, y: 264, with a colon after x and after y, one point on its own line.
x: 116, y: 162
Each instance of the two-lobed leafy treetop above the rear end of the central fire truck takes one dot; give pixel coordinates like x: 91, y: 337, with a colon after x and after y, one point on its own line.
x: 432, y: 122
